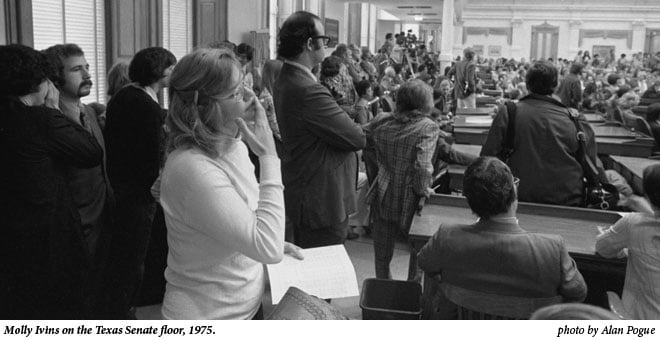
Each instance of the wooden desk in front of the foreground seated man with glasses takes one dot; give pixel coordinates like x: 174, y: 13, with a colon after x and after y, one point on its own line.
x: 578, y: 227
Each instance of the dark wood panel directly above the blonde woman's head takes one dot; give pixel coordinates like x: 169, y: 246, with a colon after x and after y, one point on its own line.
x: 210, y: 21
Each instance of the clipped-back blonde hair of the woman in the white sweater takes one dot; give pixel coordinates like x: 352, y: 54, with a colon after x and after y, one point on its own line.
x: 196, y: 83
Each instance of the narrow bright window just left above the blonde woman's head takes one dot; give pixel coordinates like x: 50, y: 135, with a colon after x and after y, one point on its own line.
x: 177, y: 30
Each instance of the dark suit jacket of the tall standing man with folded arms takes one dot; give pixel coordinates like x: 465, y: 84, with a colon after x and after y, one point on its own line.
x: 319, y: 163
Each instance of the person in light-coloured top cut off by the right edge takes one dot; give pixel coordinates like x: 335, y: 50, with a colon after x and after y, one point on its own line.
x: 639, y: 233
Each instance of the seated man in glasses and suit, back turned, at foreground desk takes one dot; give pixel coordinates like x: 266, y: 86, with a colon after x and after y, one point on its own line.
x: 496, y: 255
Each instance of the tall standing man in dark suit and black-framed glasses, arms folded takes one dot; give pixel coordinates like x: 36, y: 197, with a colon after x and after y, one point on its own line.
x: 319, y: 163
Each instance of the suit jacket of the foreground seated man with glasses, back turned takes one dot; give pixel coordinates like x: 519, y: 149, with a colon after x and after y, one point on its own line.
x: 502, y: 258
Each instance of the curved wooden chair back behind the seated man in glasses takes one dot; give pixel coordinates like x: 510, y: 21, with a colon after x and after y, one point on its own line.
x: 474, y: 305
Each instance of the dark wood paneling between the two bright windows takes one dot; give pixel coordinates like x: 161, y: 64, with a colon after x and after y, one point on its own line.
x: 133, y: 25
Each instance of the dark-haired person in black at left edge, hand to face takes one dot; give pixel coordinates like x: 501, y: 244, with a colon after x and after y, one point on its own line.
x: 44, y: 260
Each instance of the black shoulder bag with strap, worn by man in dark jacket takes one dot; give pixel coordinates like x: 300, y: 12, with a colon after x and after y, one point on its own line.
x: 598, y: 193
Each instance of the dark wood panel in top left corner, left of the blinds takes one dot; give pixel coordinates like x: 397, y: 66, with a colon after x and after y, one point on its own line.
x: 18, y: 22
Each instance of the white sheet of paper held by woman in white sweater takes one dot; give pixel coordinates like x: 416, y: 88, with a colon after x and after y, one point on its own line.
x: 326, y: 272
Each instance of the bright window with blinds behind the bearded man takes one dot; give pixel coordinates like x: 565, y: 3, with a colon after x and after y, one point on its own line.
x: 79, y: 22
